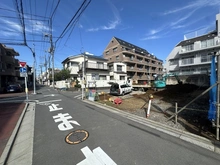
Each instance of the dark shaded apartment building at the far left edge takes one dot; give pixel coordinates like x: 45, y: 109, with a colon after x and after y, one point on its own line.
x: 9, y: 66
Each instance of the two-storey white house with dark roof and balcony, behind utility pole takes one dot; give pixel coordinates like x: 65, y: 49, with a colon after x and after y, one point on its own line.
x: 95, y: 72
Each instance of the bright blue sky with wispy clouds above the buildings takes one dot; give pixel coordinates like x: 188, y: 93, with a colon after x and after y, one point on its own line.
x: 72, y: 27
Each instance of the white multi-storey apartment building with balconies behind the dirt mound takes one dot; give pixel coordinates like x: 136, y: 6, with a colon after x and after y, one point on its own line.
x: 191, y: 58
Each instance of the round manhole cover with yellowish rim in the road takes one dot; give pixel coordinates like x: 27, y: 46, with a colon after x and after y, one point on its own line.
x: 77, y: 137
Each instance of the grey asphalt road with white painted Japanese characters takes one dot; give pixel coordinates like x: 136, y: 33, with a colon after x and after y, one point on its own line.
x: 102, y: 135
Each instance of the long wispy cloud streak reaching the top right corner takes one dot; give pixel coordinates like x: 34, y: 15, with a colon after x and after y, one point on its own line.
x: 195, y: 4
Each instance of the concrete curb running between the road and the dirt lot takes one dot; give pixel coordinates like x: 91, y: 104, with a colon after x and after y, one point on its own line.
x: 211, y: 145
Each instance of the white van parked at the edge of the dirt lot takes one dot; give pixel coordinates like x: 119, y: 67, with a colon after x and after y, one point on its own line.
x: 120, y: 89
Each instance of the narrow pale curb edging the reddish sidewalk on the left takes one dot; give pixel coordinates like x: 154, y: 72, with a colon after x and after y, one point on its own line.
x: 9, y: 145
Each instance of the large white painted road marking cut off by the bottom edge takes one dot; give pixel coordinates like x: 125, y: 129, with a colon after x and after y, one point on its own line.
x: 97, y: 157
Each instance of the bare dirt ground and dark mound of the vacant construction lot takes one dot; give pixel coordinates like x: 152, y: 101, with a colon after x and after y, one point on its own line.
x: 193, y: 119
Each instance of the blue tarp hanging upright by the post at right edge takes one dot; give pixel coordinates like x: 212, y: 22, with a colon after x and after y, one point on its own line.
x: 212, y: 92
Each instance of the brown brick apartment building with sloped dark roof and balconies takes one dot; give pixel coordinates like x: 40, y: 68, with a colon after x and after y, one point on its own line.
x: 140, y: 64
